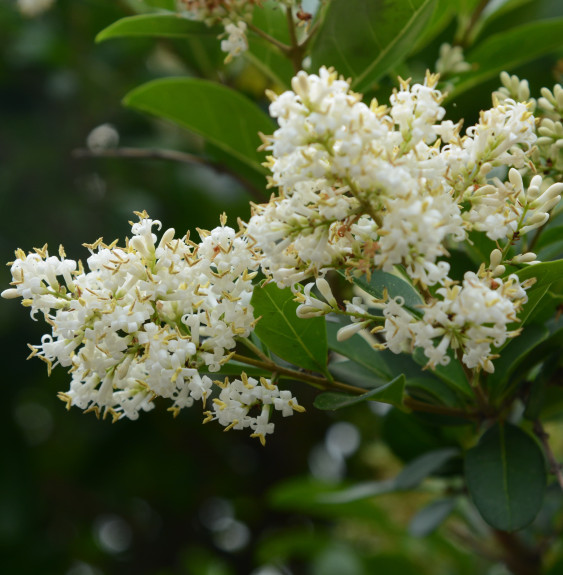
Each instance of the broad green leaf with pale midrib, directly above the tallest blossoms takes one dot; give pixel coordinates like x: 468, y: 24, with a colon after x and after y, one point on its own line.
x: 364, y: 40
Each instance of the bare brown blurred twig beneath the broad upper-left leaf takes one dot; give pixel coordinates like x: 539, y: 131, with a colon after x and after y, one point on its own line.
x: 169, y: 155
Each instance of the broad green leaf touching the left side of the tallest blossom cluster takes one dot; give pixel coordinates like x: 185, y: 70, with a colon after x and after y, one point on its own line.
x: 226, y: 118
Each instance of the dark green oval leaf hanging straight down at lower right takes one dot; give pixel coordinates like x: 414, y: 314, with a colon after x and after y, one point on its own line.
x: 506, y: 477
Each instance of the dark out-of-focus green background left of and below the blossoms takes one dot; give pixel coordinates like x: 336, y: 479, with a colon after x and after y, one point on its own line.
x: 161, y: 495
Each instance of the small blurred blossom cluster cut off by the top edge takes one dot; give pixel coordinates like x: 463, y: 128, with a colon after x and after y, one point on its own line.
x: 233, y: 15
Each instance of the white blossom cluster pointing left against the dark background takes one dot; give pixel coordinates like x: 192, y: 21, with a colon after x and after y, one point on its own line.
x: 147, y: 320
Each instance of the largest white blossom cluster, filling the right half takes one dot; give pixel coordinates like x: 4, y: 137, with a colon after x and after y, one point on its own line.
x: 405, y: 185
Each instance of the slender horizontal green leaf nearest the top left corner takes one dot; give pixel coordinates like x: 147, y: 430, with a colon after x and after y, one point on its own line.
x: 153, y: 25
